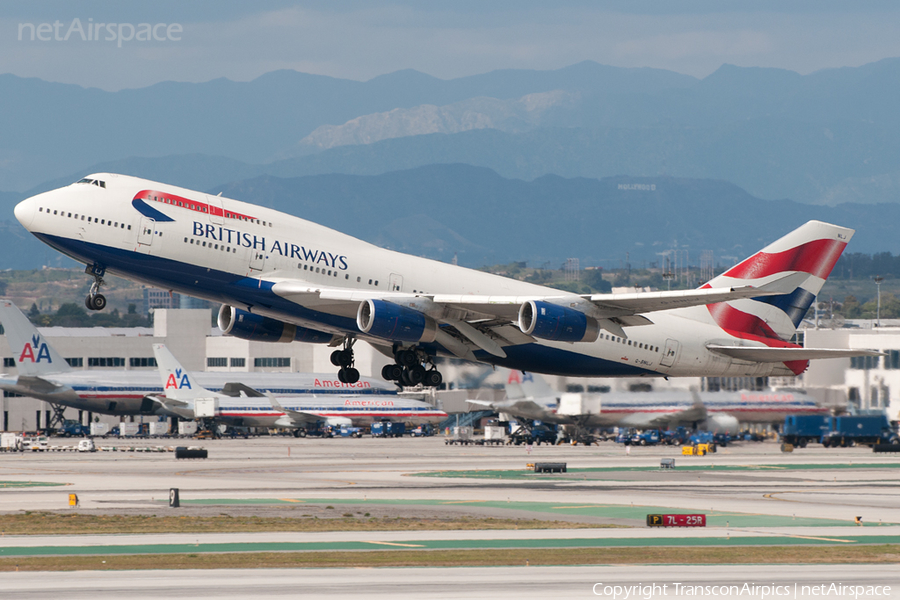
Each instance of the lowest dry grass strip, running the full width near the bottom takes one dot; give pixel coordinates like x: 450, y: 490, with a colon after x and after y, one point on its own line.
x: 875, y: 554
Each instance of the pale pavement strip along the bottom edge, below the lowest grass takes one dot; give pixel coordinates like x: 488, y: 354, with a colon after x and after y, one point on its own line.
x: 457, y: 583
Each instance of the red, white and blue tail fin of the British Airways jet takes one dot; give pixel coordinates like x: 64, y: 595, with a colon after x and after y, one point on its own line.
x: 809, y: 252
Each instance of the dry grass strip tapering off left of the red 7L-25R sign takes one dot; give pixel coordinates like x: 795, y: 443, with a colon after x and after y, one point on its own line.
x: 50, y: 523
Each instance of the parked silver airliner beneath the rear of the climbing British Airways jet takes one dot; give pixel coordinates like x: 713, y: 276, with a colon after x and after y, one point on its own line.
x: 529, y: 397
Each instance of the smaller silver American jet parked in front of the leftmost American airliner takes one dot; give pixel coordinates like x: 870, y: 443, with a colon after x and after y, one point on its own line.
x: 249, y: 407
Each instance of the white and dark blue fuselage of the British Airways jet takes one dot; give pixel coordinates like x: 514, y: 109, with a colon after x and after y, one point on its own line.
x: 232, y: 252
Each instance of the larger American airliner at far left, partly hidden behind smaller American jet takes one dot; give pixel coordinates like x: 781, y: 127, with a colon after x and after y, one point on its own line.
x: 44, y: 374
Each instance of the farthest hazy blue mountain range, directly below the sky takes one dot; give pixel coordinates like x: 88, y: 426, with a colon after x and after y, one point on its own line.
x: 829, y: 137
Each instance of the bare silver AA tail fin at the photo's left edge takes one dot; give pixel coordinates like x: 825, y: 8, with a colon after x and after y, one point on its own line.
x: 34, y: 356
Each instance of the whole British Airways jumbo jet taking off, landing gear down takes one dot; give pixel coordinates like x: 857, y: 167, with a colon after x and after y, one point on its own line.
x: 281, y: 278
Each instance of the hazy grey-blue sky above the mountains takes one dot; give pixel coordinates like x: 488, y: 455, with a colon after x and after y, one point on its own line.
x: 361, y: 40
